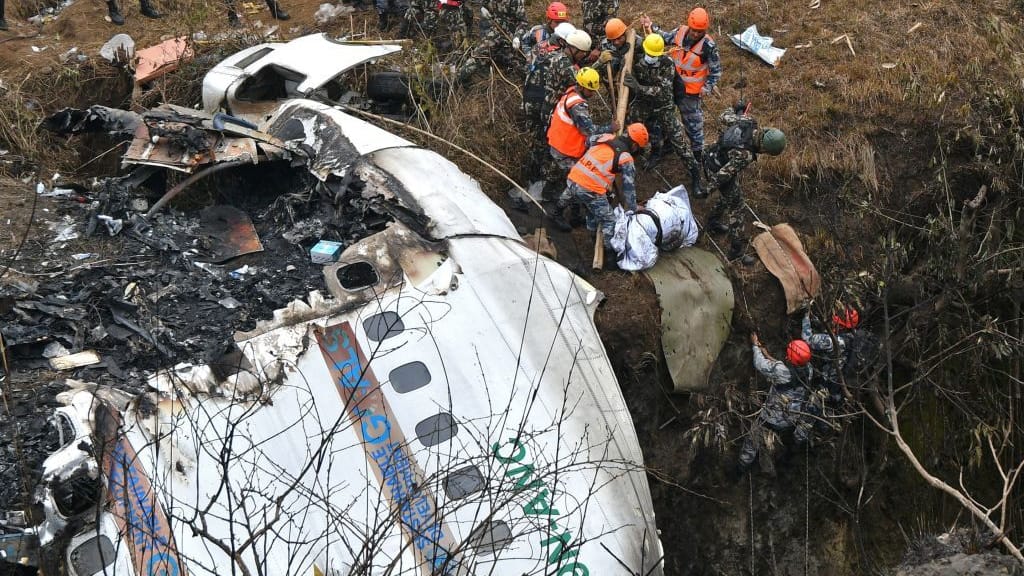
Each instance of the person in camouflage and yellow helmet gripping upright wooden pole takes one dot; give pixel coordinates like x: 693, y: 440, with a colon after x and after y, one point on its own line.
x: 653, y: 83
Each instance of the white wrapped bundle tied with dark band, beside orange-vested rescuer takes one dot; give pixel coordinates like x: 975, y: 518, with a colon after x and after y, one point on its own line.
x: 637, y: 233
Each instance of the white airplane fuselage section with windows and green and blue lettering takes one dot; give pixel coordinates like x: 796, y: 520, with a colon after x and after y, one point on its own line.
x: 448, y: 408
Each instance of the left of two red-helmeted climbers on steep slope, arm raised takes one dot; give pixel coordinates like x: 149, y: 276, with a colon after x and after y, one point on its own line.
x: 789, y: 406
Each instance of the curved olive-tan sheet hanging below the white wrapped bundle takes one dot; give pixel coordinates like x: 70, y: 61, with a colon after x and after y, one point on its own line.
x: 697, y: 313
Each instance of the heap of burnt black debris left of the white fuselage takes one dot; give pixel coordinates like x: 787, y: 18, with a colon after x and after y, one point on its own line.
x: 154, y: 297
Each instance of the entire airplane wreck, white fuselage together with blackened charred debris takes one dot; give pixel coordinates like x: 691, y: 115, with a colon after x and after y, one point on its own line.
x: 436, y: 402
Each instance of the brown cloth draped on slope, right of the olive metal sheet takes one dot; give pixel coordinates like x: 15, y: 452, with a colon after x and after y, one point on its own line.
x: 784, y: 256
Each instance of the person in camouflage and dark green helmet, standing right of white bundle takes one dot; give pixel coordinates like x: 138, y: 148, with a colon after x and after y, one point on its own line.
x: 737, y: 149
